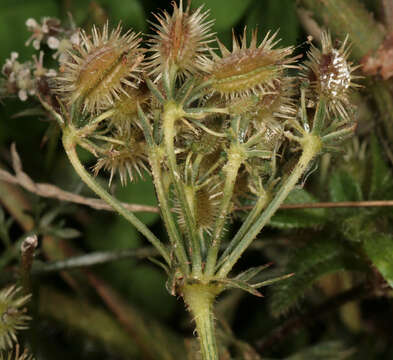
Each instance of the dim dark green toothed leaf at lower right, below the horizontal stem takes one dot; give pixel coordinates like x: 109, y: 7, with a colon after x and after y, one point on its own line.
x: 309, y: 263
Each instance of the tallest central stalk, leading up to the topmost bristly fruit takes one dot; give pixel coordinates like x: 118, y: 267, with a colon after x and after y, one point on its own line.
x: 171, y: 114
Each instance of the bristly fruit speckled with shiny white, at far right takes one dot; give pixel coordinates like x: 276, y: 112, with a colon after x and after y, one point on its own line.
x: 330, y: 75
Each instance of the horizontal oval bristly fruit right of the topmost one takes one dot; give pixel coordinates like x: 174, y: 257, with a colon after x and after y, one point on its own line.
x: 248, y: 70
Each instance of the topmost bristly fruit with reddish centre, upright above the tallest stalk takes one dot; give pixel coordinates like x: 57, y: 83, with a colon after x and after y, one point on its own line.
x: 180, y: 40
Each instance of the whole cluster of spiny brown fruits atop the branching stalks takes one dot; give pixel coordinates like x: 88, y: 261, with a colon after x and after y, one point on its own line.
x: 243, y: 95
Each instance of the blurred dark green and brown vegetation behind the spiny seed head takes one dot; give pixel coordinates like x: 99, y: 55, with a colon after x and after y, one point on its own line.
x: 122, y: 310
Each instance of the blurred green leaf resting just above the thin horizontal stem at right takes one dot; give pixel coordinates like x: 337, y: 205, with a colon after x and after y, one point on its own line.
x: 343, y: 187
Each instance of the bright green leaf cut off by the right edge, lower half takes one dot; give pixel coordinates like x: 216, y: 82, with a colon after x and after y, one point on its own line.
x: 379, y: 248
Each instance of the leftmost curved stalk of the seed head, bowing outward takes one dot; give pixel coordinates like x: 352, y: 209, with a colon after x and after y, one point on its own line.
x: 69, y: 142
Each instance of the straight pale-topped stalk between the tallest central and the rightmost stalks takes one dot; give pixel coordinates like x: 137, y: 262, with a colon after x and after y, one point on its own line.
x: 235, y: 159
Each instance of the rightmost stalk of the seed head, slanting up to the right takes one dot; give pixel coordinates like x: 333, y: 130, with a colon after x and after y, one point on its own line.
x: 311, y: 147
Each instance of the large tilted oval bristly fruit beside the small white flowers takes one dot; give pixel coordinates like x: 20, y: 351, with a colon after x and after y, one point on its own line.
x: 101, y: 68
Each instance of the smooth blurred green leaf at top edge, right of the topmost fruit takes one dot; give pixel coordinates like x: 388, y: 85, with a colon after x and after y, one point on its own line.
x: 226, y: 12
